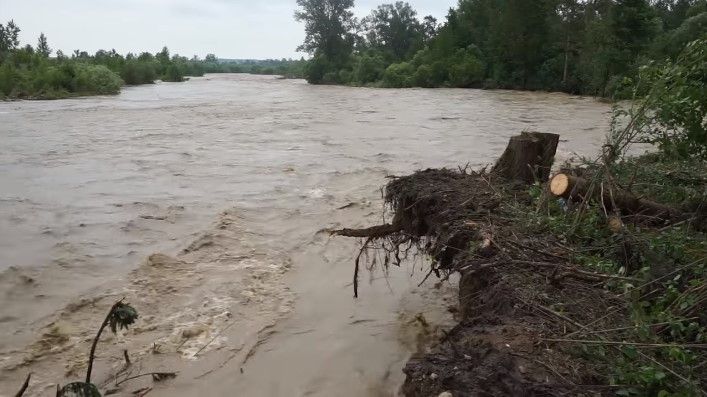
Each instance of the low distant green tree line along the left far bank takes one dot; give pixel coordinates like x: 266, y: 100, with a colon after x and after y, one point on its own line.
x: 39, y: 73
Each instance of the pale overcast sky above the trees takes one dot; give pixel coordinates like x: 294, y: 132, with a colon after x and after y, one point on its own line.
x: 229, y: 28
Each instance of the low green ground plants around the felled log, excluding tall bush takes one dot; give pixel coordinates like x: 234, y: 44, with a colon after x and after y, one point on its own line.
x: 669, y: 311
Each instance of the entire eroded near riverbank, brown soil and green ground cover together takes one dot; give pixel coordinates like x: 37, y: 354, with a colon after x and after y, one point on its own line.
x: 560, y: 296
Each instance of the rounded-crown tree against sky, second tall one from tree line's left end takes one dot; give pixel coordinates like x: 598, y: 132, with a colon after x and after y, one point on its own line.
x: 395, y: 29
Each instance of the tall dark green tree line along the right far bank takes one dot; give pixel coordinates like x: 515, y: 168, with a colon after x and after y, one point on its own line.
x: 593, y: 47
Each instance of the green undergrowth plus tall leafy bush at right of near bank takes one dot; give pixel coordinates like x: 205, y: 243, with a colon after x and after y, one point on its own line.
x: 668, y: 311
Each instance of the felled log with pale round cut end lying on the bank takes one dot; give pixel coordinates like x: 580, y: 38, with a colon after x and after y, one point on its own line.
x: 576, y: 189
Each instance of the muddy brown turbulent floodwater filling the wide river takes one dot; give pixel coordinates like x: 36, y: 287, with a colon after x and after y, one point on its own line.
x: 206, y: 205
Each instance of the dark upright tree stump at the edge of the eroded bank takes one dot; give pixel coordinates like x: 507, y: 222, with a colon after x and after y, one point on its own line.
x: 528, y: 157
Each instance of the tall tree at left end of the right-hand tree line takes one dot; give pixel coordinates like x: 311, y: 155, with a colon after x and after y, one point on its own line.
x: 328, y: 29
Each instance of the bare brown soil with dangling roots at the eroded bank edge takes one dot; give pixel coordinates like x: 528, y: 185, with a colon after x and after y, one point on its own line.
x: 518, y: 291
